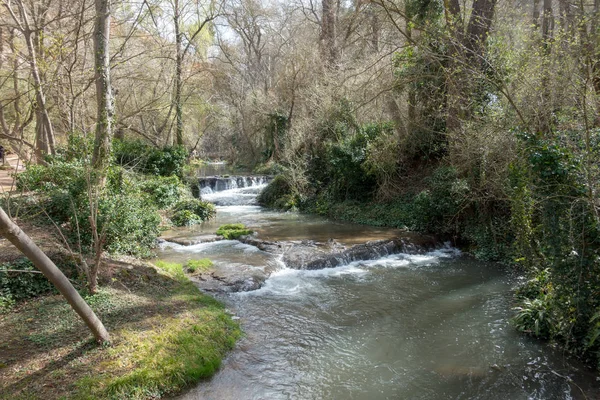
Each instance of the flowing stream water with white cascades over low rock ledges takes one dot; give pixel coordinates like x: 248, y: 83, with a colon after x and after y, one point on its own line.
x: 429, y: 326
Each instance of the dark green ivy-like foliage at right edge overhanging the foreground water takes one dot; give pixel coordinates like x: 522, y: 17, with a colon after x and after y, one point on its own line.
x: 557, y: 231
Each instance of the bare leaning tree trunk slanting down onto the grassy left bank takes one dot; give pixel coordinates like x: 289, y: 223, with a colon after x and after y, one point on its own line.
x: 21, y: 241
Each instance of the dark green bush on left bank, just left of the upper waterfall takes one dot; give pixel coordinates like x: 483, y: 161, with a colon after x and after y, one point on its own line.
x: 145, y: 158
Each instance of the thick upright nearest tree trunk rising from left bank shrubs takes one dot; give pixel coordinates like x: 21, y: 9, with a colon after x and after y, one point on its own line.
x: 104, y: 96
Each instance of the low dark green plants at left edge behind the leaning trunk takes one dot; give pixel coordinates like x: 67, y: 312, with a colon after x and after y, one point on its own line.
x: 16, y: 286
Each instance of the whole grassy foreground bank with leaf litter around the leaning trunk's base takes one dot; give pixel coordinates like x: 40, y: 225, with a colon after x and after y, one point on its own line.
x: 166, y: 336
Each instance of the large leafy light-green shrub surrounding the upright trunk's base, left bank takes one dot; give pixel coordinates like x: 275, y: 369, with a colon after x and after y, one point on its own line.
x: 126, y: 216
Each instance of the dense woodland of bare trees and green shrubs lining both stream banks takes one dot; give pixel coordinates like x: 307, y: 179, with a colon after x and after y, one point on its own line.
x: 478, y: 121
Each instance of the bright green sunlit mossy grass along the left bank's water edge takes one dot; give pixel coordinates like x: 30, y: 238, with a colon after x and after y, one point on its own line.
x: 175, y: 353
